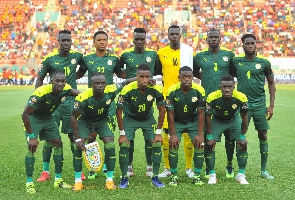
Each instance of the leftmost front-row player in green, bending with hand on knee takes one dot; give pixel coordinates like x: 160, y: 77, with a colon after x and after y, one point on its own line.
x: 39, y: 122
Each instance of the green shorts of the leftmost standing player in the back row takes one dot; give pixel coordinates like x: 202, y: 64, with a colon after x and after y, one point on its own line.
x: 63, y: 113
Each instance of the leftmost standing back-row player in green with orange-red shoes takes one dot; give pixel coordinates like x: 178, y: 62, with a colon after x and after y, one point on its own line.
x: 66, y: 60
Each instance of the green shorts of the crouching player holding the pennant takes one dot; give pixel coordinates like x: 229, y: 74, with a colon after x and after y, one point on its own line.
x: 103, y: 128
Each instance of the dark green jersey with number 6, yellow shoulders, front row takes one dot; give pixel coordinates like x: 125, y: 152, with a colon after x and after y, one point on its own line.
x: 185, y: 105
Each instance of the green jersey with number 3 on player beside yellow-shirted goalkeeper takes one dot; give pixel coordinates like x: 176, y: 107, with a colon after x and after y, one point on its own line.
x: 213, y: 67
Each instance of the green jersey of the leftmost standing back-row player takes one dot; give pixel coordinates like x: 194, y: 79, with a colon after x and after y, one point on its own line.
x: 54, y: 62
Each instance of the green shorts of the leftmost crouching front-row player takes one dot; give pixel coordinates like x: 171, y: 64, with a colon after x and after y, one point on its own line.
x: 44, y: 129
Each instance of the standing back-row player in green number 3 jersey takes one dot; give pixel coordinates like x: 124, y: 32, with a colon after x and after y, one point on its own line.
x: 210, y: 65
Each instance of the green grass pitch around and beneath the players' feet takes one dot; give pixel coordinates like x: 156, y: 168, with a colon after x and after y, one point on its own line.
x: 281, y: 159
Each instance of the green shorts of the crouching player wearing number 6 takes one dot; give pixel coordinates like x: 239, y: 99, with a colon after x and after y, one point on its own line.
x: 191, y: 128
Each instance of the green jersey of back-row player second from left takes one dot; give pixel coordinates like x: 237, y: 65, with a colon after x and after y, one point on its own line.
x: 107, y: 65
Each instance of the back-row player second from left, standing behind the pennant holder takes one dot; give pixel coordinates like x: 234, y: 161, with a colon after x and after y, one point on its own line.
x: 106, y: 63
